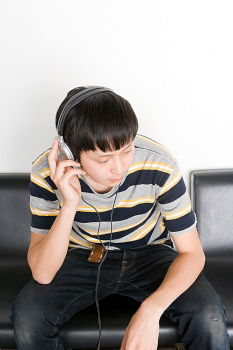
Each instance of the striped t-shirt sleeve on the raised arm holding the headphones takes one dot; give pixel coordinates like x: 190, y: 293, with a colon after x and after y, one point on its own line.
x: 44, y: 204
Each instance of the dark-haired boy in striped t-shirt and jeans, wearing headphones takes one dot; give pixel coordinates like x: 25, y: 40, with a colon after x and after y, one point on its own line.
x: 122, y: 204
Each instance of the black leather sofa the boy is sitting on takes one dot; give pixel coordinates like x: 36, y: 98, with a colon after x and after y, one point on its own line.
x: 212, y: 198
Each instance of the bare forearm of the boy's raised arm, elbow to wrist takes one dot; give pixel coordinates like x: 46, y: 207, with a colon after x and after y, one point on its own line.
x: 46, y: 257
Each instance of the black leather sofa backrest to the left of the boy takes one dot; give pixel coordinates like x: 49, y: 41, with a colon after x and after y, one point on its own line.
x: 15, y: 218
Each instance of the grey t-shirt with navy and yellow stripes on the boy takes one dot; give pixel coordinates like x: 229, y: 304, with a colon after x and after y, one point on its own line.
x: 150, y: 204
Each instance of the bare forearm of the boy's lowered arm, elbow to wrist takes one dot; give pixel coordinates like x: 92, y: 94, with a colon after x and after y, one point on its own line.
x: 181, y: 274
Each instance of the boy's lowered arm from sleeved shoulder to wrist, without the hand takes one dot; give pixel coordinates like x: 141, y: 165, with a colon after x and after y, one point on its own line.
x: 175, y: 205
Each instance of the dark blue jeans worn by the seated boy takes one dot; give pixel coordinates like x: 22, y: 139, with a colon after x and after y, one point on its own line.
x: 40, y: 309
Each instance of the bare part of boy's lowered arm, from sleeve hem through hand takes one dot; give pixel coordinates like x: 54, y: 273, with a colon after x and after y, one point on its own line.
x: 143, y: 329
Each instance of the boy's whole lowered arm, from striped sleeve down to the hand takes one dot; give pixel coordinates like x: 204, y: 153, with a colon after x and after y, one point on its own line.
x: 174, y: 203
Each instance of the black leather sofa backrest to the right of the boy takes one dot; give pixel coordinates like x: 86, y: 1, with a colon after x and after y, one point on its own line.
x: 212, y: 201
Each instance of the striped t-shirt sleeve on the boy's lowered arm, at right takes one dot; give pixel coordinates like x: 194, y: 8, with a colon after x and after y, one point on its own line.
x: 175, y: 204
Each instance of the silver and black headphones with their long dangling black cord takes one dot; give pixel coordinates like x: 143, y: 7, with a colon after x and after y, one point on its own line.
x: 65, y: 150
